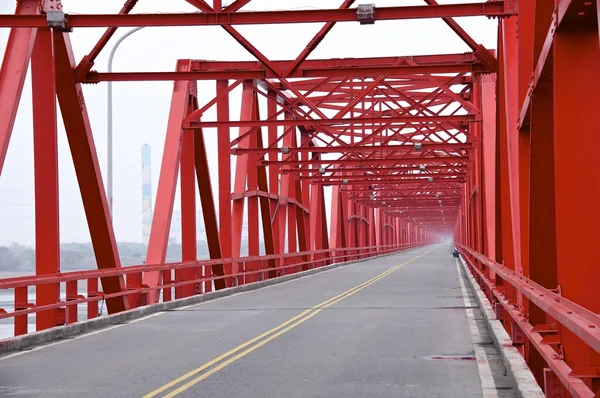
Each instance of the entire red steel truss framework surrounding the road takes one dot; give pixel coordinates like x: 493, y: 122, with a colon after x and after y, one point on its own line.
x: 410, y: 146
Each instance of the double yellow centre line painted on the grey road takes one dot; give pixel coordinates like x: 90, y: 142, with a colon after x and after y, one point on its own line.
x: 257, y: 342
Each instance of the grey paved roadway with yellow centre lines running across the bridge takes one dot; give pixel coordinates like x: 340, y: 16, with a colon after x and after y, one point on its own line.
x: 396, y: 326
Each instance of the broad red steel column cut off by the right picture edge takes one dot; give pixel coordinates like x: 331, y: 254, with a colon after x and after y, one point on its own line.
x: 576, y: 58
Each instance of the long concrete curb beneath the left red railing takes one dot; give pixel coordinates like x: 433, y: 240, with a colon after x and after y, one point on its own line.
x: 32, y: 340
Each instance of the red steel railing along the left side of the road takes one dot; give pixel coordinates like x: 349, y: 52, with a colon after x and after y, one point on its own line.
x: 198, y: 279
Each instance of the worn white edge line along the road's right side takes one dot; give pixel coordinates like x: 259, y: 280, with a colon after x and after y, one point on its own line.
x: 488, y: 384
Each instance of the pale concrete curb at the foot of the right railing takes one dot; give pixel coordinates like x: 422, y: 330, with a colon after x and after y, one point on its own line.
x: 520, y: 376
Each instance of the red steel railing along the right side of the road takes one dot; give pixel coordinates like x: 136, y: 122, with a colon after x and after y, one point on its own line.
x: 561, y: 314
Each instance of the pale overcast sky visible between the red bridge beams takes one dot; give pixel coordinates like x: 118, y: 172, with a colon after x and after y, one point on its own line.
x: 141, y: 108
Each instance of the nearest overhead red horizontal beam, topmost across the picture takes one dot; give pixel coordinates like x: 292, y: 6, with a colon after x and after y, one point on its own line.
x: 496, y: 8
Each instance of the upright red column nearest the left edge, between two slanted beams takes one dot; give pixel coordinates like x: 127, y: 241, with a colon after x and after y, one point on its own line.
x: 45, y: 146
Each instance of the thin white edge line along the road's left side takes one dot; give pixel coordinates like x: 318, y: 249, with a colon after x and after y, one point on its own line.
x: 41, y: 347
